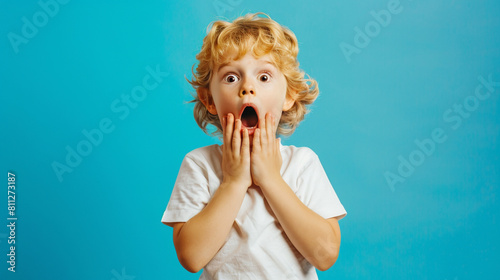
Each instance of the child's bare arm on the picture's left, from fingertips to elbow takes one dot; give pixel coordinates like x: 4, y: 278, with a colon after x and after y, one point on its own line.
x: 198, y: 240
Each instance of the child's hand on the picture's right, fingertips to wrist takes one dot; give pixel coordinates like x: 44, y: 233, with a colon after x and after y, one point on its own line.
x: 266, y: 156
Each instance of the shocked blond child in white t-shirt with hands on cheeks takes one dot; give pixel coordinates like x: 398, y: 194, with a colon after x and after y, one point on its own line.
x: 253, y: 208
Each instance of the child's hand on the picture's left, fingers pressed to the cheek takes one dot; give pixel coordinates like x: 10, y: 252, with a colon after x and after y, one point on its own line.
x: 235, y: 153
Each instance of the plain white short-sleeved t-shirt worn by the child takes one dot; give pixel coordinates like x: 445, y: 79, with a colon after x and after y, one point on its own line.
x: 256, y: 247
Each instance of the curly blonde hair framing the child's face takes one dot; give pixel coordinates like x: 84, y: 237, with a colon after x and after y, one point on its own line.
x: 261, y: 36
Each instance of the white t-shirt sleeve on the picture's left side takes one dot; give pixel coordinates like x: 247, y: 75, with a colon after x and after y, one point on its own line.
x: 190, y: 193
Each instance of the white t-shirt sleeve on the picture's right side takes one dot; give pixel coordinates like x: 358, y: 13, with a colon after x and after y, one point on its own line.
x: 315, y: 189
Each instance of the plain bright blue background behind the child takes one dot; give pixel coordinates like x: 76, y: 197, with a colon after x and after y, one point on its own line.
x: 102, y: 220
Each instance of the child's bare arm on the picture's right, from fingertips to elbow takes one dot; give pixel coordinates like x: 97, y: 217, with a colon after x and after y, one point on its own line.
x: 316, y: 238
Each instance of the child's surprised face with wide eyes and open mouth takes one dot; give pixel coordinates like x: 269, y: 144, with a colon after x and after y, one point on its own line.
x: 249, y: 88
